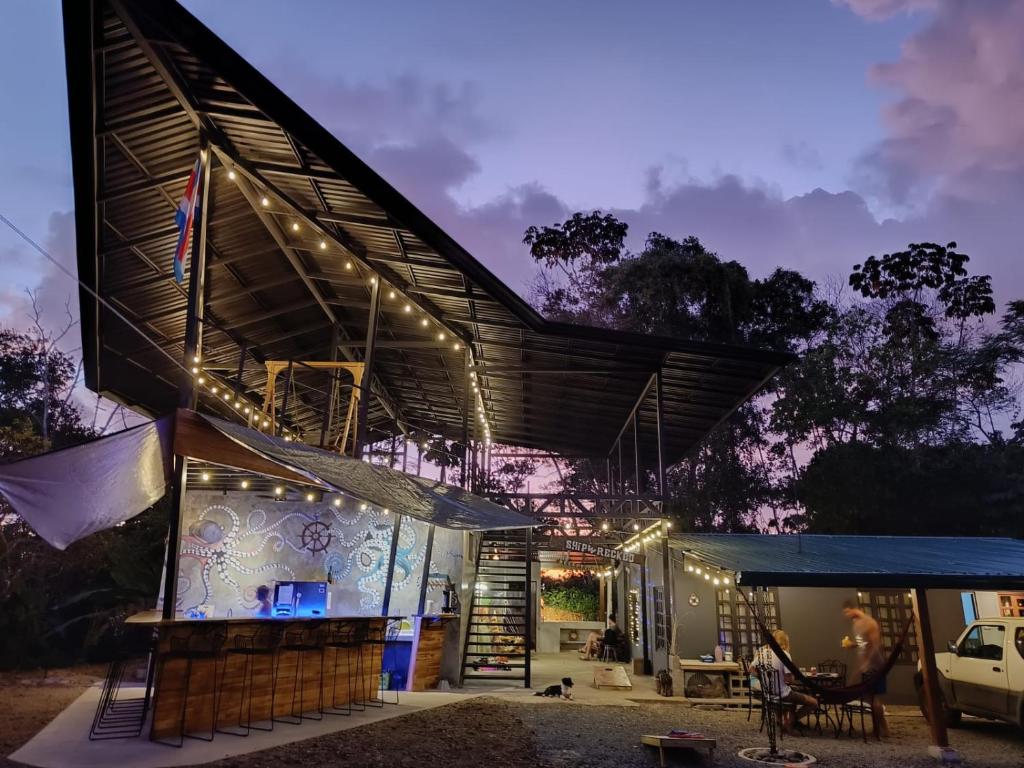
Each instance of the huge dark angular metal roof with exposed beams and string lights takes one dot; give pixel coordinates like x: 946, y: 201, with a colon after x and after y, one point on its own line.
x: 145, y: 78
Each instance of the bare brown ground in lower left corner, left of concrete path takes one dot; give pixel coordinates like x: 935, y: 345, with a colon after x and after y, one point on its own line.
x: 31, y: 700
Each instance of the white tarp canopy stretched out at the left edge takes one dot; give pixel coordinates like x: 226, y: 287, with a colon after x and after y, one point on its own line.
x: 69, y: 494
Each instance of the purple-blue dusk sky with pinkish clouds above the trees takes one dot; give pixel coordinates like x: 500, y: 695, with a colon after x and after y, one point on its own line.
x: 806, y: 135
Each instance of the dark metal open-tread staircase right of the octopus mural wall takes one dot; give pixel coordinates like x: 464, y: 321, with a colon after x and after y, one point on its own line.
x: 500, y: 623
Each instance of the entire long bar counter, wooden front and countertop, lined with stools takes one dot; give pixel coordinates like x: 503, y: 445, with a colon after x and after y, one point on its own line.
x: 220, y: 673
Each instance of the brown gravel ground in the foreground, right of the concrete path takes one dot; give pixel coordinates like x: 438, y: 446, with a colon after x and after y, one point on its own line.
x: 499, y: 734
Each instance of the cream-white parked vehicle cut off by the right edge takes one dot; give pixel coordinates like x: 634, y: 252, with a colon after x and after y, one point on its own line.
x: 984, y: 673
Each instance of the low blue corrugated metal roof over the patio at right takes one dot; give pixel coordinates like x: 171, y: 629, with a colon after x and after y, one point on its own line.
x: 794, y: 561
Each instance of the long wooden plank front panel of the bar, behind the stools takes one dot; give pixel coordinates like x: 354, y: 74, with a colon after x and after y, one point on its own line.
x: 339, y: 664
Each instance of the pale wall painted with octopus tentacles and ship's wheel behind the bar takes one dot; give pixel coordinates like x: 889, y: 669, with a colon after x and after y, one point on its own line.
x: 233, y: 543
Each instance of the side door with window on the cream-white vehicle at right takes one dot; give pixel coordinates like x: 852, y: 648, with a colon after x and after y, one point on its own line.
x: 979, y: 671
